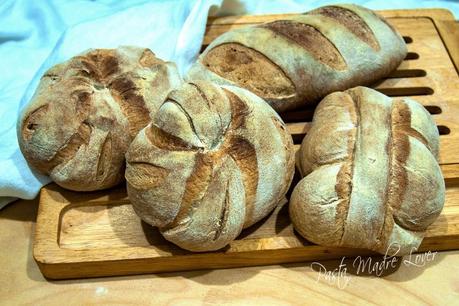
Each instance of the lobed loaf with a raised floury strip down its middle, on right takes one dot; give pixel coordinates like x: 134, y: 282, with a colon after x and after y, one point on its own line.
x: 371, y: 175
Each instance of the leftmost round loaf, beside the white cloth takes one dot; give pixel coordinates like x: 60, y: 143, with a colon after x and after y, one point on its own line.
x: 86, y: 111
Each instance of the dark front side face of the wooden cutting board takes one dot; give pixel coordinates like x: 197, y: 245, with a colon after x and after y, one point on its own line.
x: 66, y: 270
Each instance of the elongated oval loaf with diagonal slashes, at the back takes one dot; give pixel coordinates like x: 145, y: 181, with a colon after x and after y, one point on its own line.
x: 298, y: 60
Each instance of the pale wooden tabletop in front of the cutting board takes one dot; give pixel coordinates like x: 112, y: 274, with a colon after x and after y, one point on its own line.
x: 21, y: 282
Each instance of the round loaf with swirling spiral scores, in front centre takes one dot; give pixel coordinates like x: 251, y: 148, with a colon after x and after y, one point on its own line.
x: 213, y: 161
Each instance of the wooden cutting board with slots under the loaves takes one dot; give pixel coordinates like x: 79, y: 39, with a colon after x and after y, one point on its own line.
x: 98, y: 233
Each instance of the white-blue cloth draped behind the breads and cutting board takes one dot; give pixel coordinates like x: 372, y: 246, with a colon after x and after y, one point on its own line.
x: 34, y: 35
